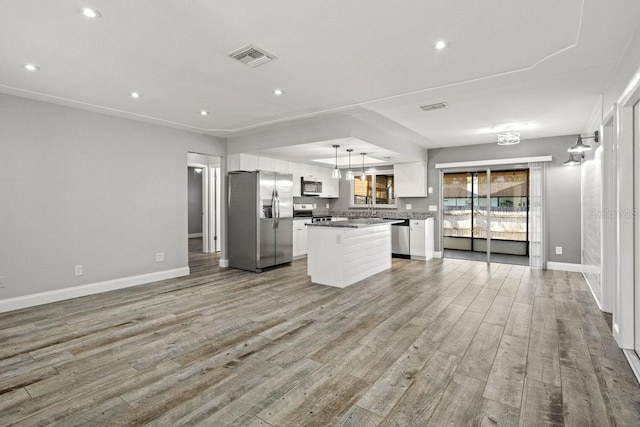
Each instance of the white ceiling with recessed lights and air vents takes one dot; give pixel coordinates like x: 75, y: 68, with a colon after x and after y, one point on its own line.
x: 540, y: 64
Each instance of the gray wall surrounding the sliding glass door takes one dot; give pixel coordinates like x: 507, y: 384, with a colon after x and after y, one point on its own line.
x: 563, y: 187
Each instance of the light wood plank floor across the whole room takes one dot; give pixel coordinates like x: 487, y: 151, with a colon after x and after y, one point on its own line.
x: 447, y: 342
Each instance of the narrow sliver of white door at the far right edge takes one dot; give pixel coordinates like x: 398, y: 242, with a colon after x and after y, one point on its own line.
x: 636, y: 206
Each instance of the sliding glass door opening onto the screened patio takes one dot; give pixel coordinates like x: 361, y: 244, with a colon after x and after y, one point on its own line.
x: 486, y: 215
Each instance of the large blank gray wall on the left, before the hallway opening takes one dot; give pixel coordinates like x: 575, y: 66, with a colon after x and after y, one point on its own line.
x: 84, y: 188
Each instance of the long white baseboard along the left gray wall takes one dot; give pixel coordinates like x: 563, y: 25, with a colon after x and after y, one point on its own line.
x: 25, y: 301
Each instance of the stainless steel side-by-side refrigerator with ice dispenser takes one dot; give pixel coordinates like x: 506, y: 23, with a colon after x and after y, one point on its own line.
x: 260, y: 219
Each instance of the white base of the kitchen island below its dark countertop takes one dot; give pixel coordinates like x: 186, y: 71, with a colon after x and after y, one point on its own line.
x: 343, y: 256
